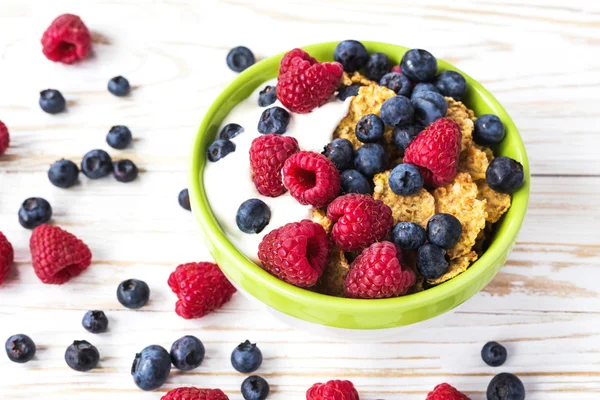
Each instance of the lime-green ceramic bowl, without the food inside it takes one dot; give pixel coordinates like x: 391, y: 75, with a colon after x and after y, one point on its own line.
x: 339, y: 312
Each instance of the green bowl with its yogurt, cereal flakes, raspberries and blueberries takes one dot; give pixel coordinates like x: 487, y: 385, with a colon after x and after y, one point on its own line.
x: 358, y: 187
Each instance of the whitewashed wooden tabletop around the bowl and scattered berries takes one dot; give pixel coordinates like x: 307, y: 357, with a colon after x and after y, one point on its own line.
x: 540, y: 60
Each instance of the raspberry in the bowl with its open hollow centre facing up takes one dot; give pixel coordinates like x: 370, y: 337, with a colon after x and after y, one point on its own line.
x: 311, y: 178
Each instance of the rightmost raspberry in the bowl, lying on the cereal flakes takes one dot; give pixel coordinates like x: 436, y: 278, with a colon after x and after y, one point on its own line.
x: 436, y: 151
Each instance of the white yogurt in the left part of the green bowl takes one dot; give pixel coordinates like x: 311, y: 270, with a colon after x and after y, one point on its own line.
x: 228, y: 182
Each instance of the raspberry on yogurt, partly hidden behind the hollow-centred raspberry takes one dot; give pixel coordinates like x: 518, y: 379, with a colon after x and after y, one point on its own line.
x: 267, y: 155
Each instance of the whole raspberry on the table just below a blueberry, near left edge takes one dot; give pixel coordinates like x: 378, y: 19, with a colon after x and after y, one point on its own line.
x: 57, y: 255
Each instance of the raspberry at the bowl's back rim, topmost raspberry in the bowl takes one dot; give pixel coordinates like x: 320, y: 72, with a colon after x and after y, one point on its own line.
x: 304, y: 84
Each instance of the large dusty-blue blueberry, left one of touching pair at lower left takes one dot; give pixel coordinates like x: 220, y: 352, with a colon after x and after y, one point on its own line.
x: 151, y: 367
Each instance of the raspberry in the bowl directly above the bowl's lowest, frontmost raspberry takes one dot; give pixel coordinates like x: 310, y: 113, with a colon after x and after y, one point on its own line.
x: 359, y: 221
